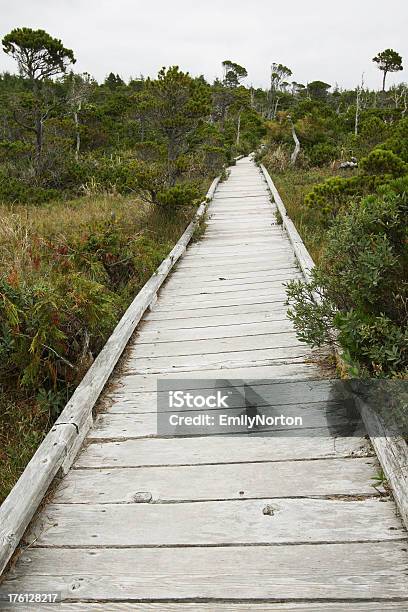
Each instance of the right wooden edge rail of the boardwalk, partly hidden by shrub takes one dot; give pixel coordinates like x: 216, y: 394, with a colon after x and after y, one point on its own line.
x: 390, y: 447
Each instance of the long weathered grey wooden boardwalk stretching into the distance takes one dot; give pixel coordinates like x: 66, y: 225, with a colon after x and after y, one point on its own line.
x: 235, y: 523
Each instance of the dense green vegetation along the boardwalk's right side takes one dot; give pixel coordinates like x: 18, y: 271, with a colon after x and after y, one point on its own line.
x: 347, y: 192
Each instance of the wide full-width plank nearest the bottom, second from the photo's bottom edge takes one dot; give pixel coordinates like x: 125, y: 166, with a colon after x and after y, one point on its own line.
x: 362, y: 572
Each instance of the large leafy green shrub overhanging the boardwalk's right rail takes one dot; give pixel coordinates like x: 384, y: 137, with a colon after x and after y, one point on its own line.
x: 361, y: 282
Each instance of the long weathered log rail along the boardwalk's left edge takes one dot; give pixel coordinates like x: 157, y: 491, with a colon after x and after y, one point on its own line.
x: 60, y: 446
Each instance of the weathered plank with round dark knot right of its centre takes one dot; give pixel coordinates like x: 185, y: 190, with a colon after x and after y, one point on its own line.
x: 292, y: 521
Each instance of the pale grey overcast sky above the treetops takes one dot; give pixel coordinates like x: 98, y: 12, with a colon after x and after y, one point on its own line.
x: 317, y: 39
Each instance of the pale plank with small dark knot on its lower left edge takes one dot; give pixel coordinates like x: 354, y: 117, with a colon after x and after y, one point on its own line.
x: 220, y: 482
